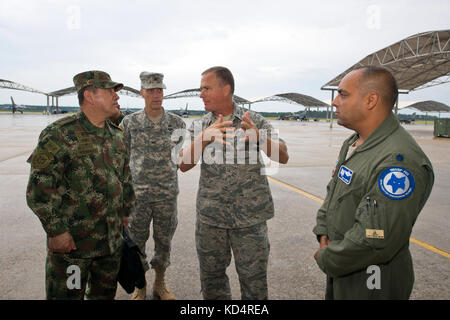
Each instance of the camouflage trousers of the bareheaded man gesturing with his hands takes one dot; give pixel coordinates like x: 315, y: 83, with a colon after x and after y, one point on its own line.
x: 250, y: 248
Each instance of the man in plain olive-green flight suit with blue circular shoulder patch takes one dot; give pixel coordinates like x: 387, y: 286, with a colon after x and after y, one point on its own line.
x: 379, y: 186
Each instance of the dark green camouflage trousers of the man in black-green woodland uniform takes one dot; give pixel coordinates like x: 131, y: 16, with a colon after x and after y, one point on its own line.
x: 66, y: 278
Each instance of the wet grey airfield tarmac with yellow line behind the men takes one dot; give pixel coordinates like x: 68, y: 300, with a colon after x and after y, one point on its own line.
x: 296, y: 189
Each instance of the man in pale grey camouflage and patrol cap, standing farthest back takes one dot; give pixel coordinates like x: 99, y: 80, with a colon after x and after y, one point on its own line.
x: 148, y: 137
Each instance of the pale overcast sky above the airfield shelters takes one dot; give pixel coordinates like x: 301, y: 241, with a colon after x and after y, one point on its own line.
x: 270, y: 46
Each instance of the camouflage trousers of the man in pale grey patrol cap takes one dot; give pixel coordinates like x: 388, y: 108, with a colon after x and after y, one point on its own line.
x: 165, y: 221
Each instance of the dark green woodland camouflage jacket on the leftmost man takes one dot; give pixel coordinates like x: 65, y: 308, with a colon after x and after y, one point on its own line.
x: 80, y: 183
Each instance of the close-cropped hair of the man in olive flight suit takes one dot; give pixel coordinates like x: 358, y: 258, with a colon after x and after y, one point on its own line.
x: 380, y: 80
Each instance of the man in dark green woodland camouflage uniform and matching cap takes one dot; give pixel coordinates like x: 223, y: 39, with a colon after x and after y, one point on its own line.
x: 80, y: 188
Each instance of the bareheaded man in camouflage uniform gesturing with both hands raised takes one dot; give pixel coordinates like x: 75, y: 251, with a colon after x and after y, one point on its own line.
x: 234, y: 199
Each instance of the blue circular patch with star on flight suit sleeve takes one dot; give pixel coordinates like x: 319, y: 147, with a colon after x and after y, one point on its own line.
x: 396, y: 183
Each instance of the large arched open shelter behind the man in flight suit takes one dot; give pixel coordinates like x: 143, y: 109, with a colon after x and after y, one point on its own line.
x: 417, y: 62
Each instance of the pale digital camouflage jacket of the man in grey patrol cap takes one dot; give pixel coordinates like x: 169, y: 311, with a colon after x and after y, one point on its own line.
x: 154, y: 152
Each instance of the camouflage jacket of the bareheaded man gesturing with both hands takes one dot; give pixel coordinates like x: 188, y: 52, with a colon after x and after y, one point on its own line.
x: 233, y: 192
